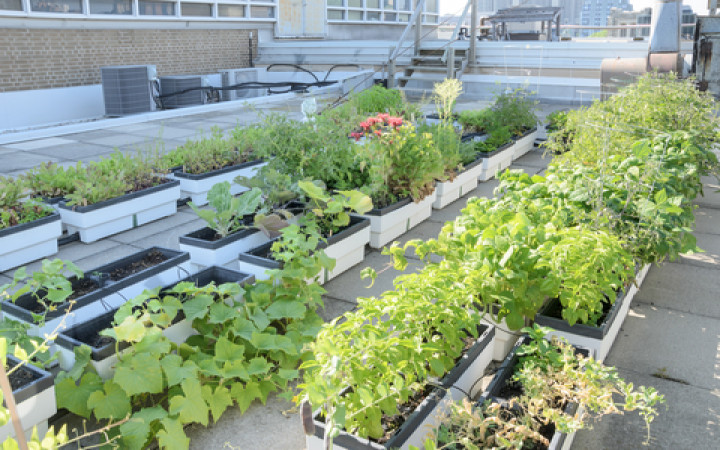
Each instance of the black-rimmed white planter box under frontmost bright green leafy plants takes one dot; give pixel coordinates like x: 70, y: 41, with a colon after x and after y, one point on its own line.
x: 460, y: 380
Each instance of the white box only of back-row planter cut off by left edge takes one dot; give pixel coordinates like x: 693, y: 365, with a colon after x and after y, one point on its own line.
x: 26, y: 242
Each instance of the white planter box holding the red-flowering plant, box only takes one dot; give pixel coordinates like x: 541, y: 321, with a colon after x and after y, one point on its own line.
x: 388, y: 223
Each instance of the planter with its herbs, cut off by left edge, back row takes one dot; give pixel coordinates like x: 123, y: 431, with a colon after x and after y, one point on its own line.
x: 28, y: 229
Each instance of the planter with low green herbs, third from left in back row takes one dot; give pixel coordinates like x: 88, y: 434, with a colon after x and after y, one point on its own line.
x: 215, y: 159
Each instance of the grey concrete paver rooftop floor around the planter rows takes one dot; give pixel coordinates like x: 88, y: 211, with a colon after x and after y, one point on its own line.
x: 670, y: 339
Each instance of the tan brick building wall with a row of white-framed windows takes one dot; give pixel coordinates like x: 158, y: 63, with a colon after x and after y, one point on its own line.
x: 63, y: 43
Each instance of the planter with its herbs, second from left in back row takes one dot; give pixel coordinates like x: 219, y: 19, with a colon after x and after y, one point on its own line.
x: 118, y: 193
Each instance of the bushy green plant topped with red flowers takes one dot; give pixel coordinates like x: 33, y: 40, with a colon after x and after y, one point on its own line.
x: 400, y: 161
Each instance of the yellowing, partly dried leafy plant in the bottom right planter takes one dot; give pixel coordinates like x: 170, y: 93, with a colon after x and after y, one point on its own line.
x: 551, y: 376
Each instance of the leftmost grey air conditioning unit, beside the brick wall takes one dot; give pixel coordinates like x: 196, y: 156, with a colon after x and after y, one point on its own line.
x: 128, y: 89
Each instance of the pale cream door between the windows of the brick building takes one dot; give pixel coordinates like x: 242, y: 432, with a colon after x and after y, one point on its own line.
x: 300, y: 19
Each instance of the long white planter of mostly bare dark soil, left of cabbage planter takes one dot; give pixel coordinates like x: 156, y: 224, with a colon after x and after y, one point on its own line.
x: 108, y: 295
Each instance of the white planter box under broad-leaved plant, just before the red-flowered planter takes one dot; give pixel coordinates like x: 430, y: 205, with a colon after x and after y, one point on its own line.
x: 347, y: 247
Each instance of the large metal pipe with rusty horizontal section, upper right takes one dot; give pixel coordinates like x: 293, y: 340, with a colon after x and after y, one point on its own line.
x: 663, y: 51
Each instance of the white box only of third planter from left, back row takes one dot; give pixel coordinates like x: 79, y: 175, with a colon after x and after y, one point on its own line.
x: 197, y: 186
